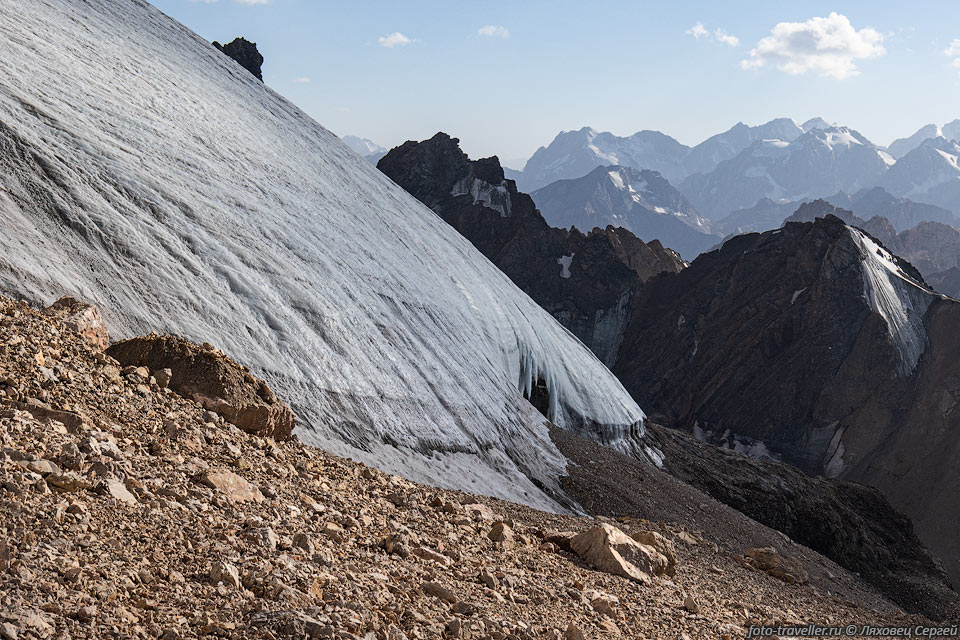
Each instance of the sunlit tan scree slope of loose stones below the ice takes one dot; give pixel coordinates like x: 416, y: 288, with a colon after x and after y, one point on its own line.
x: 127, y: 509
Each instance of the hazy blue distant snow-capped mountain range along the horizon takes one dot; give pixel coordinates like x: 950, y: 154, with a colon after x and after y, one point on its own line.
x: 749, y: 176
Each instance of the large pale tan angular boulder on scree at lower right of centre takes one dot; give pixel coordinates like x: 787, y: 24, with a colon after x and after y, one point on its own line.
x: 609, y: 549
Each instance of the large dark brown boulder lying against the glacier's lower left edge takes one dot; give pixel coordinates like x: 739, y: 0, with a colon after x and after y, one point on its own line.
x: 205, y: 375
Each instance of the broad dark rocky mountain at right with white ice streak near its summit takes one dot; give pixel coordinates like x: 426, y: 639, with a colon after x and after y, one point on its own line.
x: 841, y: 364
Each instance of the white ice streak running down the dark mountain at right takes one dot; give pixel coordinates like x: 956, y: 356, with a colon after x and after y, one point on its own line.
x: 896, y: 297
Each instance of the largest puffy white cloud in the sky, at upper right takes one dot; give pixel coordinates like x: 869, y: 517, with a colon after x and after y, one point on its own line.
x: 827, y: 46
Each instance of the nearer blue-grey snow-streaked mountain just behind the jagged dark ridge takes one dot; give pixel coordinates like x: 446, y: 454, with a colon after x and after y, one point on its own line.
x: 641, y: 201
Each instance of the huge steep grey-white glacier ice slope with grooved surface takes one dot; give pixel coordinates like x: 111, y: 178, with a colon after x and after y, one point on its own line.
x: 148, y: 173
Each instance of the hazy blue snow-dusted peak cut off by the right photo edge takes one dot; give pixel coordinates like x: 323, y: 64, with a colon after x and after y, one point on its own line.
x: 930, y: 173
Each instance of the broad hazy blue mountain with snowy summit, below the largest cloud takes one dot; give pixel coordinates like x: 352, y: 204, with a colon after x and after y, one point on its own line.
x: 819, y: 162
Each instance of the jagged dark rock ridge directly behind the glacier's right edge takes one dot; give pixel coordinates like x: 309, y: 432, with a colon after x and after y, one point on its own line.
x: 586, y: 281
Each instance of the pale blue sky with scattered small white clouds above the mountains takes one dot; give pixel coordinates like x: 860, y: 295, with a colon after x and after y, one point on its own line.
x: 545, y: 66
